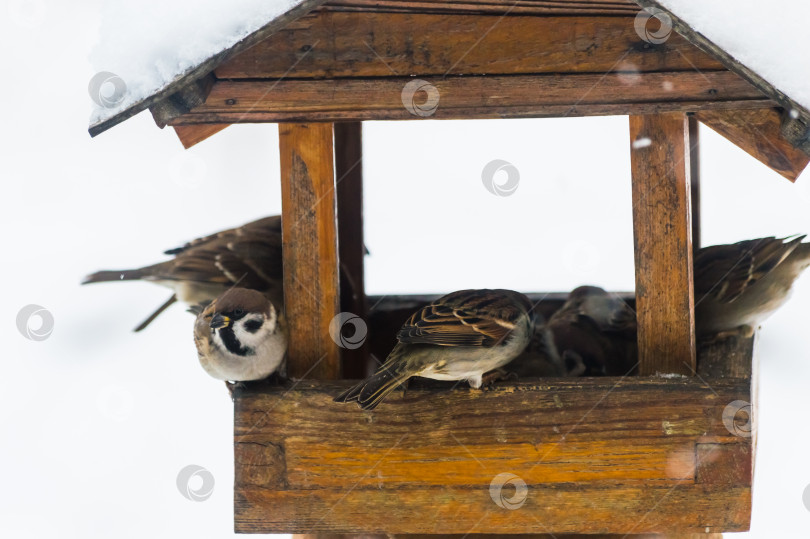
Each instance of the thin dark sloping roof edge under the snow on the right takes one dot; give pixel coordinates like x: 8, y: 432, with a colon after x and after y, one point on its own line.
x: 732, y: 64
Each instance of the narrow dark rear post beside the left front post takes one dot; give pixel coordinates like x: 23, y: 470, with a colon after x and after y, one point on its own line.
x: 349, y: 172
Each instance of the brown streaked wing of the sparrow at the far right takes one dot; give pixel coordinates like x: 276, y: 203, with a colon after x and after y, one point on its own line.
x: 726, y: 271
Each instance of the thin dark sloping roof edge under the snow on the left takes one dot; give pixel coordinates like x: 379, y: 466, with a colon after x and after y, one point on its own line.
x: 208, y: 65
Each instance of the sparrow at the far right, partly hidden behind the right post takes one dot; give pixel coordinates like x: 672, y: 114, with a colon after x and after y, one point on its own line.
x: 738, y: 286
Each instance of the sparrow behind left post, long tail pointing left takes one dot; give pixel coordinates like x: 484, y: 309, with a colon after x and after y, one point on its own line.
x: 248, y: 256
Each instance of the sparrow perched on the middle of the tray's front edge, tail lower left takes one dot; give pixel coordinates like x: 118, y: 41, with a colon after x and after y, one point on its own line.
x: 459, y: 336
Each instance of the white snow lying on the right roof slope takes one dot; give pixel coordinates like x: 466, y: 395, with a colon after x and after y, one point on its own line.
x: 770, y: 38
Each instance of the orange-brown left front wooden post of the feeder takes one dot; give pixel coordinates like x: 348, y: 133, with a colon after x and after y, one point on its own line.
x: 310, y: 247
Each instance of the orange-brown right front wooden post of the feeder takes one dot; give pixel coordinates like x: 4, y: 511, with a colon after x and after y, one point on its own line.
x: 663, y: 244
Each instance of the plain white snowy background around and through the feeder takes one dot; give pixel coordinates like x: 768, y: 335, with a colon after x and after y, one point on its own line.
x: 97, y: 422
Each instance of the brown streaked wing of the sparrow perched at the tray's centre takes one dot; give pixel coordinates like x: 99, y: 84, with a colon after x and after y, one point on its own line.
x: 467, y: 318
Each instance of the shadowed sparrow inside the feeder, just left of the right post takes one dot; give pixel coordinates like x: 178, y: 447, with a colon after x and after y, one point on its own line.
x: 597, y: 330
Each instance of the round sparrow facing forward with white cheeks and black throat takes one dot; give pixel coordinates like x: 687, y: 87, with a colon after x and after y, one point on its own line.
x: 240, y: 336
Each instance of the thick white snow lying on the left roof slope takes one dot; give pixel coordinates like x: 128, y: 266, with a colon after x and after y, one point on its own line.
x: 145, y: 45
